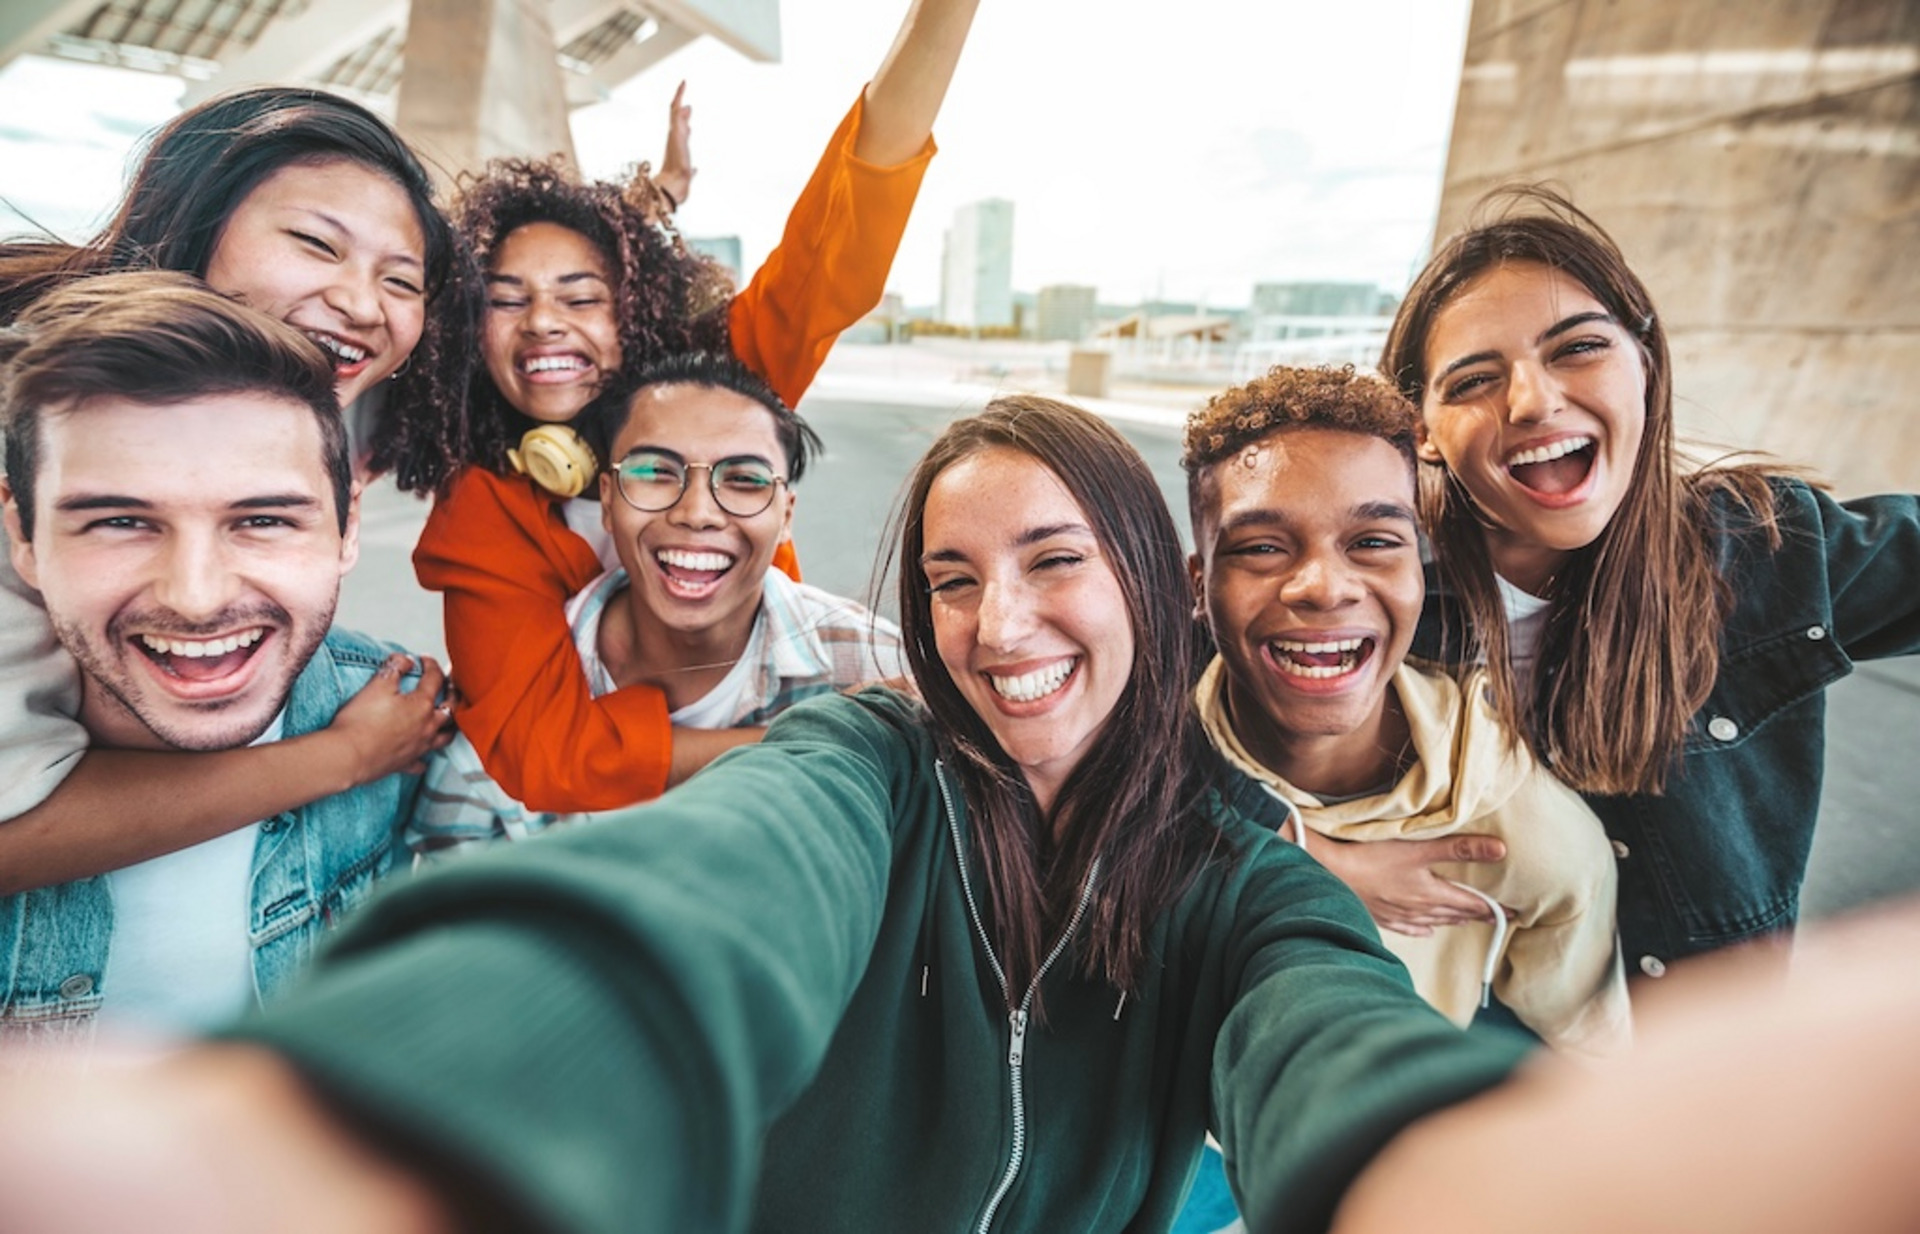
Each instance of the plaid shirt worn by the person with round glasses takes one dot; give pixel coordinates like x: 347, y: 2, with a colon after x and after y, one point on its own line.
x: 805, y: 642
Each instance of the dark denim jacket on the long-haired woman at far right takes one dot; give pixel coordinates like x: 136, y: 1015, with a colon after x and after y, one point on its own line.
x: 1723, y: 853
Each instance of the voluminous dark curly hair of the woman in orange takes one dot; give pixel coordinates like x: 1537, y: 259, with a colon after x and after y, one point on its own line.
x: 667, y: 300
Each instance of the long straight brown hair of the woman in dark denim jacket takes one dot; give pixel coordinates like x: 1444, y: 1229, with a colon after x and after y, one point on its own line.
x: 1635, y: 617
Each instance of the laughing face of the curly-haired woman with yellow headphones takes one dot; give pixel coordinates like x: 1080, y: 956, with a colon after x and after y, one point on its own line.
x: 552, y: 333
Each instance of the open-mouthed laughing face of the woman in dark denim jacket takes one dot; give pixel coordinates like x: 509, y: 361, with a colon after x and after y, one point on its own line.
x: 1537, y: 402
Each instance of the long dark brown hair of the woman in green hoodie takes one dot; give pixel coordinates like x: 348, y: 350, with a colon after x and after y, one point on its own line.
x: 1134, y: 801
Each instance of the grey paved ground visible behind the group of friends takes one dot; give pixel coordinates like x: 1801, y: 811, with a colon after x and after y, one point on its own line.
x: 1867, y: 845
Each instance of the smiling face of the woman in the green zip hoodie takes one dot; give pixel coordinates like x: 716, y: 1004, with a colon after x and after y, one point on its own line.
x: 1030, y: 619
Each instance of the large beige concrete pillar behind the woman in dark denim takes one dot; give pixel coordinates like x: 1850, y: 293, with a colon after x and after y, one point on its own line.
x: 1760, y: 162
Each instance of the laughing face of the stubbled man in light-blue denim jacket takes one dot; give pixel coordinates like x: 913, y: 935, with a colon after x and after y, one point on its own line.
x: 191, y: 558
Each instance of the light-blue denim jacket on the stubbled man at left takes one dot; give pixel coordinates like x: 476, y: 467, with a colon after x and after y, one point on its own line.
x: 310, y: 866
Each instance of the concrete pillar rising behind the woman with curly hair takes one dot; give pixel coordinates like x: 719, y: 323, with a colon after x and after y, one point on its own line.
x: 483, y: 82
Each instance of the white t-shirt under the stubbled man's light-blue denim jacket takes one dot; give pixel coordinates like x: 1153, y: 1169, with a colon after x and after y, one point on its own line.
x: 181, y: 959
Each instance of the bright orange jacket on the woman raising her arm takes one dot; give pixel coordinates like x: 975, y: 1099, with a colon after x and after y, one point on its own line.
x: 500, y: 550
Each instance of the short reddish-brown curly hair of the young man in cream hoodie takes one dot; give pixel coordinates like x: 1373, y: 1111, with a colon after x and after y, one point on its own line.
x: 1295, y: 398
